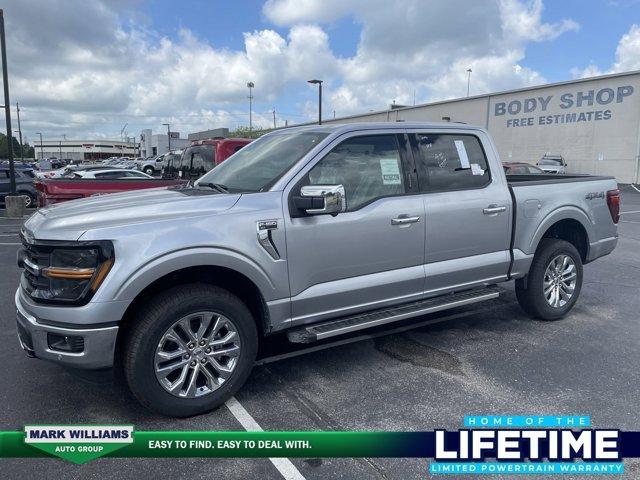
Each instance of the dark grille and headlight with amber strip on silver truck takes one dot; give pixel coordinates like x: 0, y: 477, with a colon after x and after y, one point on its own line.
x: 65, y: 273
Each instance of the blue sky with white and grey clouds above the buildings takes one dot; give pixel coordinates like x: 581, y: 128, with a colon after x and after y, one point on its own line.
x: 85, y: 68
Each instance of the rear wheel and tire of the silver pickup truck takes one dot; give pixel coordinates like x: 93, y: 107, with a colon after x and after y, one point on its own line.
x: 530, y: 291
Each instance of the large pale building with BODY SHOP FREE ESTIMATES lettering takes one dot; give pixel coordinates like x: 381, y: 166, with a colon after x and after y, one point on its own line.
x: 594, y: 123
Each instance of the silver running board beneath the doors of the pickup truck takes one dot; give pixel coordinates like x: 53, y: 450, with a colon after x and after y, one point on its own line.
x: 320, y: 331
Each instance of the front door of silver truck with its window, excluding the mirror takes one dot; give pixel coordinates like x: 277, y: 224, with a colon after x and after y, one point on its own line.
x: 370, y: 256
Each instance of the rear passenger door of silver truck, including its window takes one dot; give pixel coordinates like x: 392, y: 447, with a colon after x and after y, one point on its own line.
x: 468, y: 212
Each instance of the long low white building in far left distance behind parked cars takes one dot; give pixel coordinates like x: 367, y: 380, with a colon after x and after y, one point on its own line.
x: 84, y: 149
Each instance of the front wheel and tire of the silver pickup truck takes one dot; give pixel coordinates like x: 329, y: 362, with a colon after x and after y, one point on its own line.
x: 149, y: 332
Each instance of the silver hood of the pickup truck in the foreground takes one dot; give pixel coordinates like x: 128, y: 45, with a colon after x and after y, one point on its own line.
x: 70, y: 220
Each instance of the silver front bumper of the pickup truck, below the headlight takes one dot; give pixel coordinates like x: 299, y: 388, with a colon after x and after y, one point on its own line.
x: 98, y: 343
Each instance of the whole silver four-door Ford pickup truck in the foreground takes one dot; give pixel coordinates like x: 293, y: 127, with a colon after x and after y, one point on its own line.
x: 317, y: 231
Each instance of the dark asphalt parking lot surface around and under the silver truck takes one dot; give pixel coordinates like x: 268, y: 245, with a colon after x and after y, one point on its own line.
x: 489, y: 359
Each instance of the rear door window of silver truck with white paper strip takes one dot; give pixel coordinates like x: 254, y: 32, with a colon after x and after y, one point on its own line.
x: 449, y: 162
